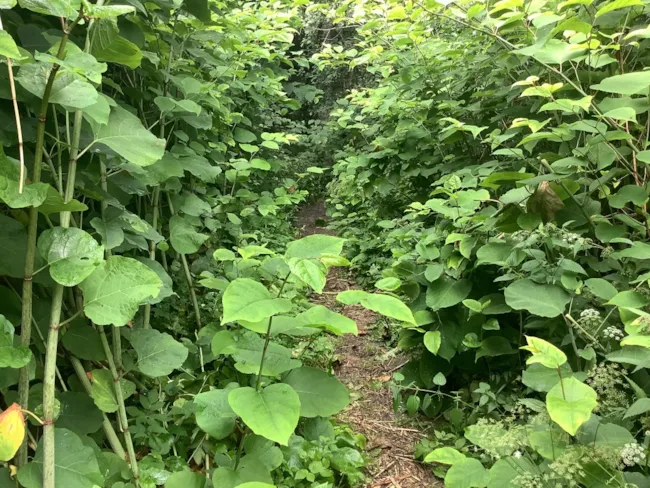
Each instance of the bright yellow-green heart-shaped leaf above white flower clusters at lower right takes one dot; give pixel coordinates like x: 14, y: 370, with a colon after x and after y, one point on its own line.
x: 570, y: 403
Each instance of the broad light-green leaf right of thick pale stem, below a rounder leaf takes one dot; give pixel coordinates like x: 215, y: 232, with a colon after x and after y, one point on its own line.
x: 115, y: 289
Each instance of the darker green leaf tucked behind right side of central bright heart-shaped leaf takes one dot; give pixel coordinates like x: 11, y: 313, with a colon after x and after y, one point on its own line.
x: 321, y: 394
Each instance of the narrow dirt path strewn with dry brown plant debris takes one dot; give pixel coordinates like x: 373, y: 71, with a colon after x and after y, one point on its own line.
x: 364, y: 366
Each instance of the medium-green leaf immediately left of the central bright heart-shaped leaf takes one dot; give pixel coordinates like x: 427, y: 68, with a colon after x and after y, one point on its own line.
x: 214, y: 414
